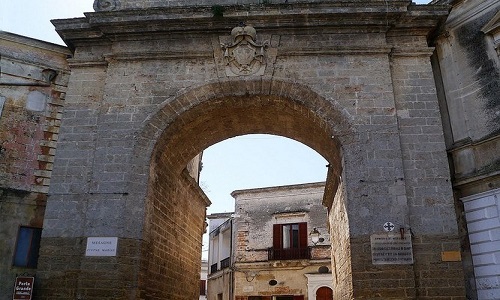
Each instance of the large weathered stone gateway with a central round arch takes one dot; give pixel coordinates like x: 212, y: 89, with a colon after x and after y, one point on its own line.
x: 152, y: 86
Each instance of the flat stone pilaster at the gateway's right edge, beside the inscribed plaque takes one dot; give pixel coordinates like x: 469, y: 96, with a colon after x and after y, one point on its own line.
x: 432, y: 218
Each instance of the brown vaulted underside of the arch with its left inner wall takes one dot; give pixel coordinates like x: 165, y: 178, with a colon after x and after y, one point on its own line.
x: 175, y: 205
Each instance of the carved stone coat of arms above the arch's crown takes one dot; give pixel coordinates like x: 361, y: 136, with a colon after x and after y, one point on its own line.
x: 244, y: 56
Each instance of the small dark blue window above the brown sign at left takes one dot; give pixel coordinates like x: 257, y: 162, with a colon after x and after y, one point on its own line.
x: 27, y: 246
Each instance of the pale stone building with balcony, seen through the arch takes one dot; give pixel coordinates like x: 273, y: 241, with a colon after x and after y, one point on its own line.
x: 265, y: 249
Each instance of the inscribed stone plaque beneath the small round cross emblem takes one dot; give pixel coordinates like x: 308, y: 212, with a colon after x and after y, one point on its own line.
x: 391, y: 249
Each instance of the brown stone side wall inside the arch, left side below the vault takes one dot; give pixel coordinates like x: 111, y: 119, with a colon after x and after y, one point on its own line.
x: 174, y: 228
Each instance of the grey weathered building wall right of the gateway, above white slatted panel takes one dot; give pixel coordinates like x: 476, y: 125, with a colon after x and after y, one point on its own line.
x: 467, y: 72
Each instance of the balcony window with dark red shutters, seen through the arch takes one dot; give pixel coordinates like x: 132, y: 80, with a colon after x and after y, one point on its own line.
x: 289, y: 241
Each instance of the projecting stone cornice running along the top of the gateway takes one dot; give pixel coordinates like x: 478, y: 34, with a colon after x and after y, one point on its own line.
x: 106, y: 27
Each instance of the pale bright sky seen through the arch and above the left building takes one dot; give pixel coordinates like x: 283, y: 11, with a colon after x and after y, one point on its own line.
x: 250, y: 161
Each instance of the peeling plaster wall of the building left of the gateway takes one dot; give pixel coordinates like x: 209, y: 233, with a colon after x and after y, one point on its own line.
x: 31, y: 101
